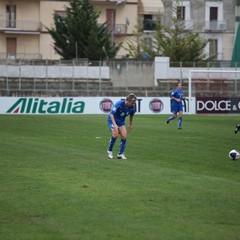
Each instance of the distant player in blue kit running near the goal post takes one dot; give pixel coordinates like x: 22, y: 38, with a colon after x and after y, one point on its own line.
x: 177, y: 106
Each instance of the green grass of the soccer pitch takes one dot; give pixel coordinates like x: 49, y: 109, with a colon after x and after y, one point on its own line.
x: 56, y: 181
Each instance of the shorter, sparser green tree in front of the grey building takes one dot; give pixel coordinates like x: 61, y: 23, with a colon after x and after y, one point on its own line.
x: 177, y: 42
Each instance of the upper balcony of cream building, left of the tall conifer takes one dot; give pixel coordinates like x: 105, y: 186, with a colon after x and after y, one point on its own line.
x: 20, y: 26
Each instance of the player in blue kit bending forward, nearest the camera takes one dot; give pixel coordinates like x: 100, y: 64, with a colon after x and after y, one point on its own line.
x: 116, y: 123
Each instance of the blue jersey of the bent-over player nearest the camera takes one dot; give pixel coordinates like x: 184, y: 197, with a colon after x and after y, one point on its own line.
x: 120, y: 112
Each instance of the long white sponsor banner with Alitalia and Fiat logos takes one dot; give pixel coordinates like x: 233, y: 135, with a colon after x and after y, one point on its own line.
x: 82, y: 105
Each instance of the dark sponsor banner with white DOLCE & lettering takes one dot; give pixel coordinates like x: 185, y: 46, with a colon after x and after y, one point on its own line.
x: 218, y: 105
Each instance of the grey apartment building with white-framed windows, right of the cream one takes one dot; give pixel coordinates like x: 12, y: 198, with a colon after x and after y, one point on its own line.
x: 213, y: 19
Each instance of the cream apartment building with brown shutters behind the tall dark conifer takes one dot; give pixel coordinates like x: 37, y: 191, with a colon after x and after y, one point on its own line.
x: 22, y: 25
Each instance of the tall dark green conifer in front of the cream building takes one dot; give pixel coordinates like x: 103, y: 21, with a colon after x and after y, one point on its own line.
x: 79, y: 35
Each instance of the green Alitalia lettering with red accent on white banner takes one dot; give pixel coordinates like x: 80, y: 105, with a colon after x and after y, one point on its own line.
x: 47, y: 106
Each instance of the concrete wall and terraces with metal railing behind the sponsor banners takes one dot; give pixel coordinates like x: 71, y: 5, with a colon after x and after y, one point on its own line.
x: 113, y: 78
